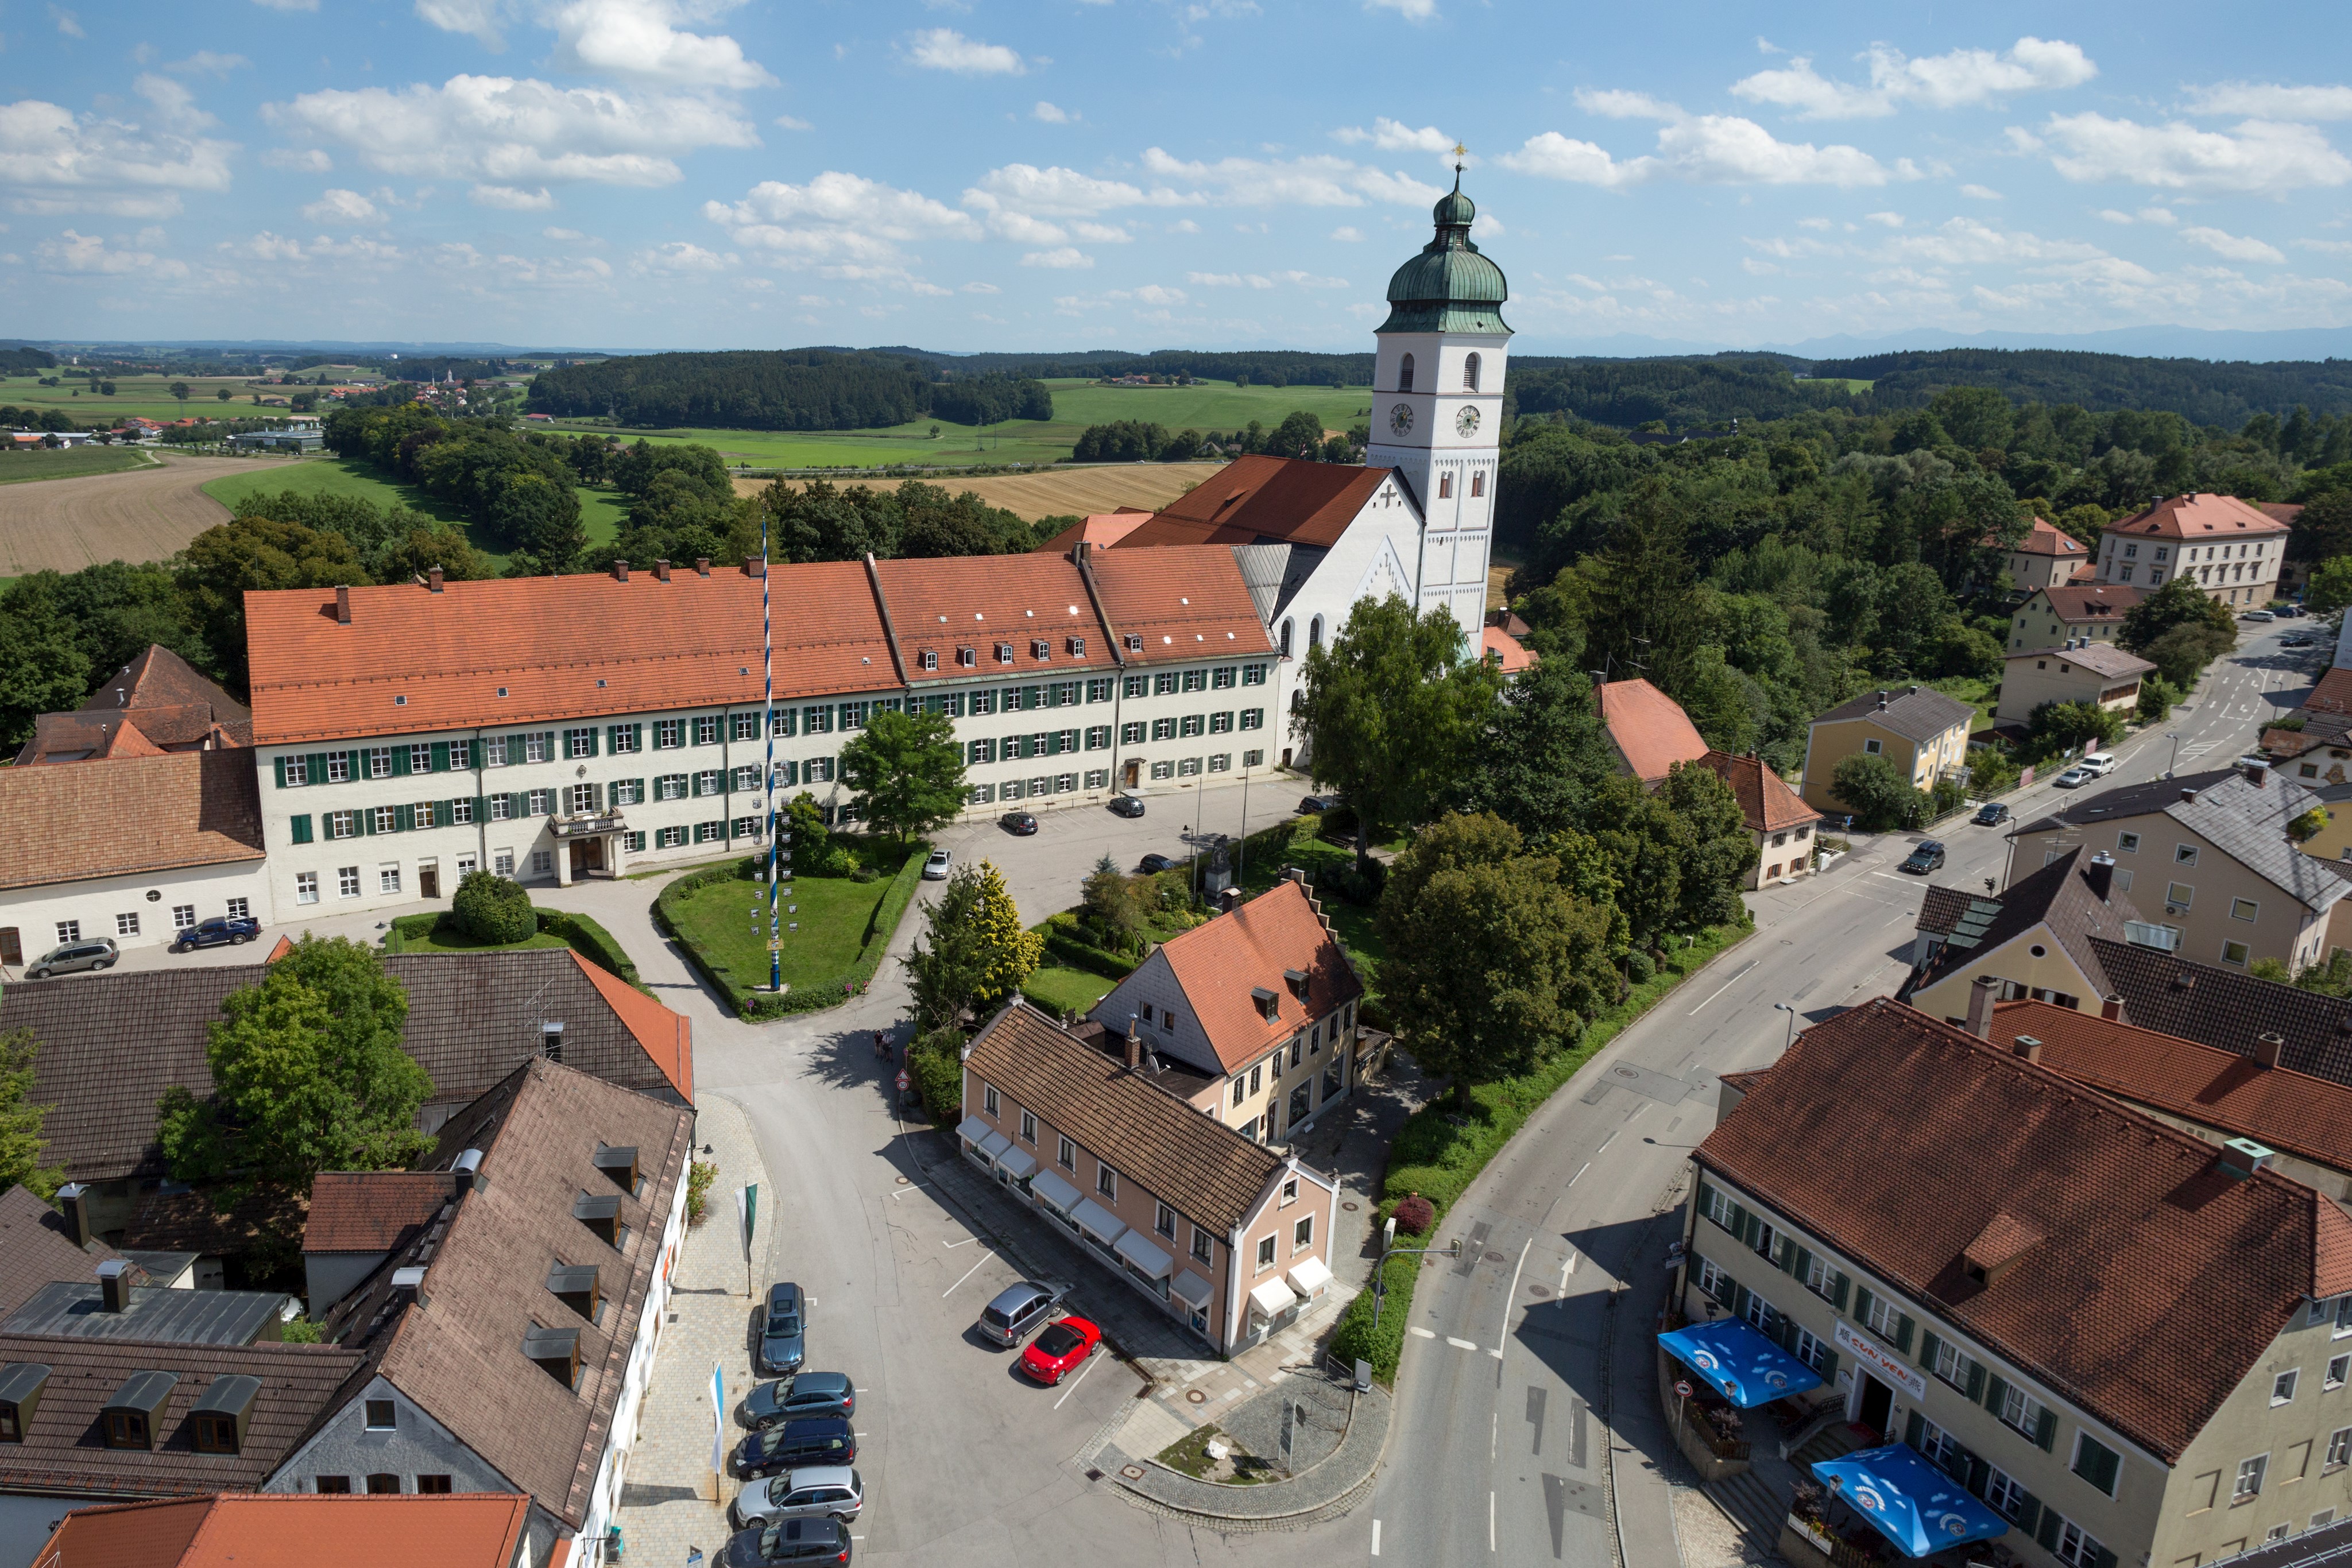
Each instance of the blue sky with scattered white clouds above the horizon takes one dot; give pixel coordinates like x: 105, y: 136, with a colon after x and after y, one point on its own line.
x: 973, y: 175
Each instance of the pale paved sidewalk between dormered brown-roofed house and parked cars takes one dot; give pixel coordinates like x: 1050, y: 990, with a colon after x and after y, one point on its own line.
x: 667, y: 1499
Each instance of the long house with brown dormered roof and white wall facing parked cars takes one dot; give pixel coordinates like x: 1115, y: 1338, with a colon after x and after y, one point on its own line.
x: 507, y: 1348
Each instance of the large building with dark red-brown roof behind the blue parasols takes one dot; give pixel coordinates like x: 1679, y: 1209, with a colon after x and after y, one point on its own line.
x: 2125, y: 1341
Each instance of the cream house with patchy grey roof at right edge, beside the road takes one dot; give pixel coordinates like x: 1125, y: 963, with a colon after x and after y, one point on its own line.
x: 2221, y: 864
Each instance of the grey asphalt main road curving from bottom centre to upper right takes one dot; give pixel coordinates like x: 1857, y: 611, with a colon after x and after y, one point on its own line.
x: 1502, y: 1449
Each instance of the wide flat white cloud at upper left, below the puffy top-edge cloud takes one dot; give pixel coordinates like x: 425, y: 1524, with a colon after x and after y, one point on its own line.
x: 514, y: 130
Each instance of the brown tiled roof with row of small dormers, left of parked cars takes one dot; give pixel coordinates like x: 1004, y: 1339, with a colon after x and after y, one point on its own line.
x: 460, y: 1348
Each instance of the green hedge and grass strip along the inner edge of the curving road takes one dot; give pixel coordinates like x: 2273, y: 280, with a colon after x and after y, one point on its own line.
x: 1438, y: 1158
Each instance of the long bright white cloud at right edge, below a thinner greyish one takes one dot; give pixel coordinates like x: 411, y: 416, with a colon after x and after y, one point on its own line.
x: 2254, y: 159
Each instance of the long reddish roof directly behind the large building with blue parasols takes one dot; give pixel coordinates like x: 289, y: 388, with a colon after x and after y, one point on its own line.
x: 2229, y: 1090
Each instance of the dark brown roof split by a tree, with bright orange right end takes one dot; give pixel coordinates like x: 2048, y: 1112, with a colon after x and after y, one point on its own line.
x: 474, y: 1017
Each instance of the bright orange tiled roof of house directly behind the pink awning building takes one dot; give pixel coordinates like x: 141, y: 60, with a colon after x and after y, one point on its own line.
x: 1220, y: 963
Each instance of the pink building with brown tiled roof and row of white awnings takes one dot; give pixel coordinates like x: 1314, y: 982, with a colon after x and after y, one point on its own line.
x: 1227, y: 1235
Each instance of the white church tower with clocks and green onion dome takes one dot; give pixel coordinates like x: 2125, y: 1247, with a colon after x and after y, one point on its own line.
x: 1438, y: 406
